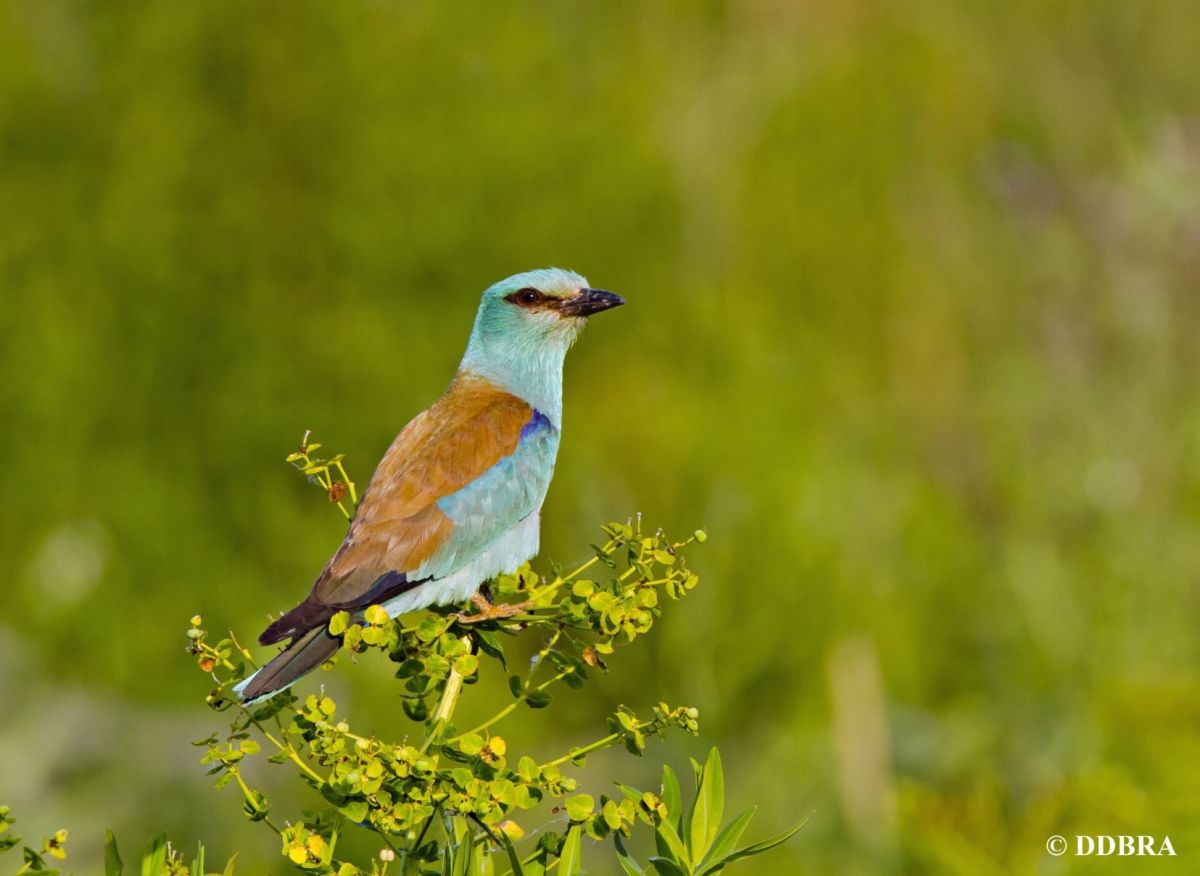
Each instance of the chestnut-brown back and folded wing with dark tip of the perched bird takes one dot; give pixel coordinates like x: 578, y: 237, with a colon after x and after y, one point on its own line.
x: 399, y: 525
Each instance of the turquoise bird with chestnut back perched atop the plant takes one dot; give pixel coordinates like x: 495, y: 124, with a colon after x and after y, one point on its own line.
x: 457, y: 499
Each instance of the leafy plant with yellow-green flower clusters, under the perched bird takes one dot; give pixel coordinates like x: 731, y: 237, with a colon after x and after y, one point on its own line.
x: 452, y: 803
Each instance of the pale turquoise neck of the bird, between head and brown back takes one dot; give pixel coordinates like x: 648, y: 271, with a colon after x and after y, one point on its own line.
x: 533, y: 373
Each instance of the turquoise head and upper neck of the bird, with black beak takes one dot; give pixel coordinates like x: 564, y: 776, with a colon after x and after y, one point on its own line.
x: 526, y: 325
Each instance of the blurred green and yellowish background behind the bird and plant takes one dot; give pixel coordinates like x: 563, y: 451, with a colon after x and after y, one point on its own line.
x: 914, y: 331
